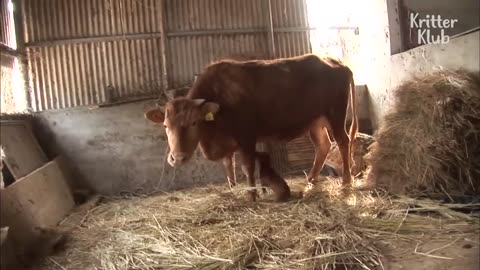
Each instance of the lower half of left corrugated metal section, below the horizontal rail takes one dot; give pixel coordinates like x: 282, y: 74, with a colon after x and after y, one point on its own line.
x: 79, y: 74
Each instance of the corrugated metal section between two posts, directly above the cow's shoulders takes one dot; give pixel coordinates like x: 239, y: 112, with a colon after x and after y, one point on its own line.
x: 201, y: 31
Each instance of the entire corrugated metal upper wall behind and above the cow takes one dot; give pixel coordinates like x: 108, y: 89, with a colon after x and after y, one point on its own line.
x: 81, y: 52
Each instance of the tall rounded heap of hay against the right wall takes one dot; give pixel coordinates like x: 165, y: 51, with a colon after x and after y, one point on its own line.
x: 430, y: 141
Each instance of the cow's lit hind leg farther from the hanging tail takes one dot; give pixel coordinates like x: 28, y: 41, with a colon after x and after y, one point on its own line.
x: 320, y: 139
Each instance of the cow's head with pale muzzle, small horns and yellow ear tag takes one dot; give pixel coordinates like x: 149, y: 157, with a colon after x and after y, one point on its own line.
x: 183, y: 119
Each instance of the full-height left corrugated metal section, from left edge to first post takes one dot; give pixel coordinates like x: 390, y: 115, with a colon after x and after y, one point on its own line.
x: 82, y: 52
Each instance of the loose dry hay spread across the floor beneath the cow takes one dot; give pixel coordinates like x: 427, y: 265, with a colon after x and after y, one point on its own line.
x: 215, y: 228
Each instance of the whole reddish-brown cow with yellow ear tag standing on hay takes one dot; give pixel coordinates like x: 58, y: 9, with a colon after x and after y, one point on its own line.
x: 234, y: 104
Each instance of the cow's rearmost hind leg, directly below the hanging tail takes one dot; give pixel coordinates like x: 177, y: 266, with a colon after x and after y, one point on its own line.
x: 343, y: 142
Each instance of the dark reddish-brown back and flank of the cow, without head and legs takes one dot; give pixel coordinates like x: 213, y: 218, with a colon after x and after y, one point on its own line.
x: 277, y: 98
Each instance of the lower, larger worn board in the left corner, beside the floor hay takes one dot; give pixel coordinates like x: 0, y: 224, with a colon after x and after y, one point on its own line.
x: 40, y: 199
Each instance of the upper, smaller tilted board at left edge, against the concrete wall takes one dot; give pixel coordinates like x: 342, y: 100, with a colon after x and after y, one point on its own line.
x: 23, y: 154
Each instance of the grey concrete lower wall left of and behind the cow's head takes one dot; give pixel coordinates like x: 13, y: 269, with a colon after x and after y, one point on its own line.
x: 115, y: 149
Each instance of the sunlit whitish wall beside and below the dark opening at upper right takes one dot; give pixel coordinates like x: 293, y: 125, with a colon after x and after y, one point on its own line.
x: 387, y: 71
